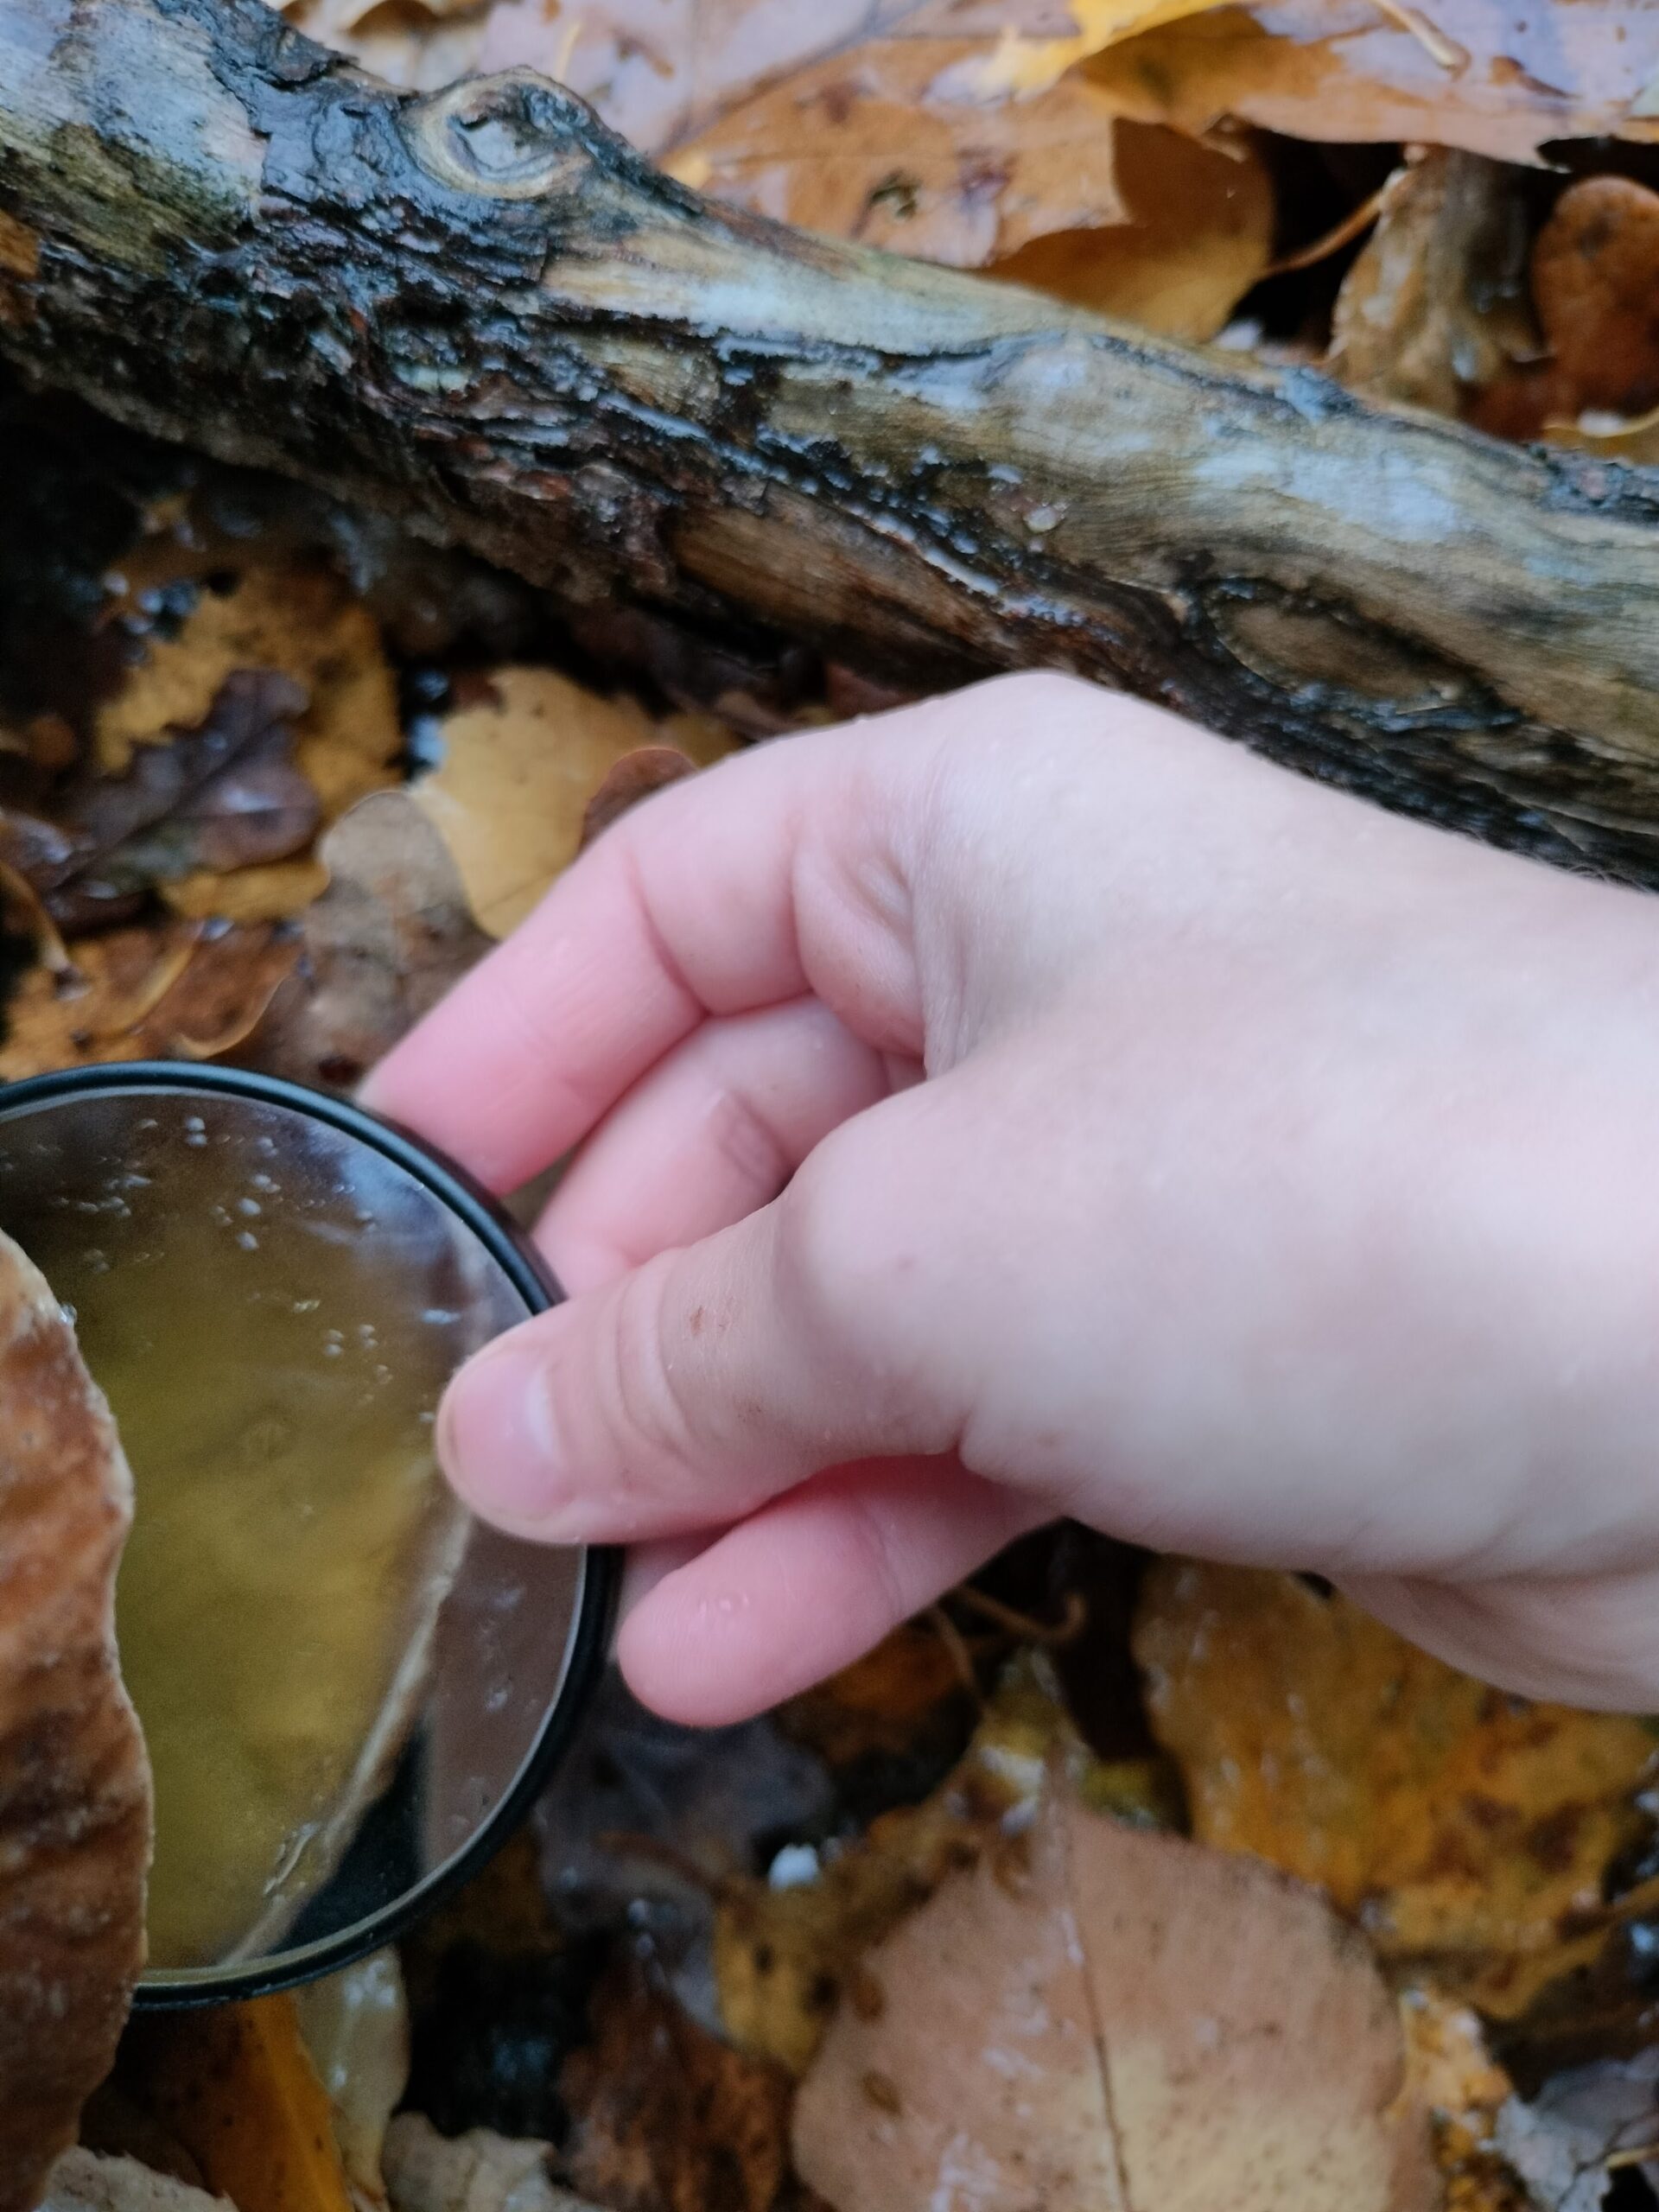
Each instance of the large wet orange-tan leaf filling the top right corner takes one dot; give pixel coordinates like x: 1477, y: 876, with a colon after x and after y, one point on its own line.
x: 1490, y: 76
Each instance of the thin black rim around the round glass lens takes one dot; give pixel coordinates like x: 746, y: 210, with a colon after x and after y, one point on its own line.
x: 601, y: 1565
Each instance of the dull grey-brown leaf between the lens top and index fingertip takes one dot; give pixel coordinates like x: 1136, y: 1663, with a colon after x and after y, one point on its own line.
x: 386, y: 941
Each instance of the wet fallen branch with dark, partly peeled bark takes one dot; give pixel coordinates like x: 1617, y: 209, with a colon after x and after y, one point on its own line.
x: 483, y: 313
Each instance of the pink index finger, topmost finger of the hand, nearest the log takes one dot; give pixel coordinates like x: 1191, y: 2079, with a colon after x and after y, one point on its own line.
x: 680, y: 912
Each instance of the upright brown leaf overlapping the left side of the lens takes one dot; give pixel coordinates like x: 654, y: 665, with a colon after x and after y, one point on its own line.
x: 74, y: 1777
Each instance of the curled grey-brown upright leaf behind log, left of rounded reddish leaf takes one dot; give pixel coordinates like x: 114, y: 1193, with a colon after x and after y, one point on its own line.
x: 1434, y: 306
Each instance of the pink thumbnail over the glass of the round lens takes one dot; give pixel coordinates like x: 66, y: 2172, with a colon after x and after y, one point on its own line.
x: 499, y: 1441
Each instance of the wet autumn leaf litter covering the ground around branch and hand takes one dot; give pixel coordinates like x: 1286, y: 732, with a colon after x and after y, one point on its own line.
x: 1304, y: 1914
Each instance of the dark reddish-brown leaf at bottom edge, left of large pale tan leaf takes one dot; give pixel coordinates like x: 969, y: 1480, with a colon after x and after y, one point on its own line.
x: 665, y: 2118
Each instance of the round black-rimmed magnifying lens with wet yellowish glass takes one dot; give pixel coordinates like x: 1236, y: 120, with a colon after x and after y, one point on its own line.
x: 351, y: 1691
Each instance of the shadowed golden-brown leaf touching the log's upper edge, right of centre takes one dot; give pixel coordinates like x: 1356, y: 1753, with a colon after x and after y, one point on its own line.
x: 1200, y: 233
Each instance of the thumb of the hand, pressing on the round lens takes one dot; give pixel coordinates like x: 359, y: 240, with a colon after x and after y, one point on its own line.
x: 711, y: 1379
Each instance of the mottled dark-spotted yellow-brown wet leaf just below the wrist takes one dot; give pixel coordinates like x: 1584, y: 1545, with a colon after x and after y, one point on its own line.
x: 1463, y: 1828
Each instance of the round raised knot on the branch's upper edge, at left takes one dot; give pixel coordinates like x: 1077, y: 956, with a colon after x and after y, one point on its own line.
x: 512, y: 136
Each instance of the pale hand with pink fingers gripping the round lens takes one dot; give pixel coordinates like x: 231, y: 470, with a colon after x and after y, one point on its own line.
x: 1027, y: 1105
